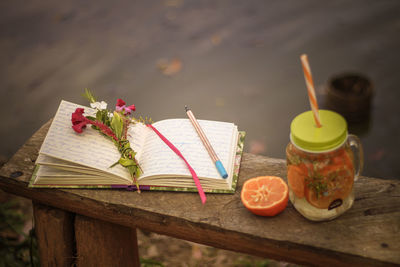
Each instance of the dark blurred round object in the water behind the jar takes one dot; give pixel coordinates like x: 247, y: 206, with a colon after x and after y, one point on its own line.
x: 350, y: 95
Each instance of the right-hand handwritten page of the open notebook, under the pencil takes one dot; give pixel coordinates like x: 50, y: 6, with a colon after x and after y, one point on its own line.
x: 158, y: 158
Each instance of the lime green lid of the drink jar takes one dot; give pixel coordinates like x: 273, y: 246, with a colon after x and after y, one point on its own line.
x: 305, y: 134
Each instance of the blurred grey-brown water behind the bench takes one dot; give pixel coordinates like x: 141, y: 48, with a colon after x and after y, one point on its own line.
x: 234, y: 61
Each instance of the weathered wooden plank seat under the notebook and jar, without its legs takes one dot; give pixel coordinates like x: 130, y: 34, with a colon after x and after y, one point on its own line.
x: 366, y: 235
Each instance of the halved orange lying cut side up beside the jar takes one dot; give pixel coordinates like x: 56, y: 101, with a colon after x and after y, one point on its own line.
x: 265, y: 195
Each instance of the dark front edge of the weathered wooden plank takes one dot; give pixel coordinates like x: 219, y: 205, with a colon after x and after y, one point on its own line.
x: 177, y: 227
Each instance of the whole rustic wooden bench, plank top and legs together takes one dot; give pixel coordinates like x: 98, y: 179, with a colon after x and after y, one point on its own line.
x: 99, y: 226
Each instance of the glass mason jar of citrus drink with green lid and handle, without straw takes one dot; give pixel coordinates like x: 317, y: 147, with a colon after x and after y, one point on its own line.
x: 322, y: 165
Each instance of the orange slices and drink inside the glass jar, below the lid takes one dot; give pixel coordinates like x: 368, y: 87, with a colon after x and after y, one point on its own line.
x: 321, y: 184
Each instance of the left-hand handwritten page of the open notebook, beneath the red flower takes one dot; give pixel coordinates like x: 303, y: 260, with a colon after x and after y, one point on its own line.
x: 89, y: 148
